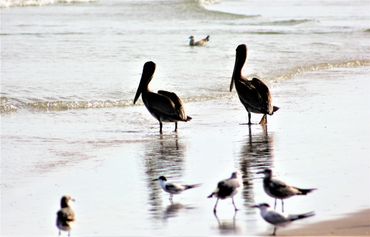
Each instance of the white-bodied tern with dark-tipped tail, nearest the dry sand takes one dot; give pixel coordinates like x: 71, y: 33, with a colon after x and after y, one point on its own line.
x: 276, y: 219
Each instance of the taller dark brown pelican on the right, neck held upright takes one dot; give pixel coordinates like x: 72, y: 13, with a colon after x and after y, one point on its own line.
x: 254, y: 94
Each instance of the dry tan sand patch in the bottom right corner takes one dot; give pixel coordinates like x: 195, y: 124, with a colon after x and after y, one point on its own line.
x: 357, y: 224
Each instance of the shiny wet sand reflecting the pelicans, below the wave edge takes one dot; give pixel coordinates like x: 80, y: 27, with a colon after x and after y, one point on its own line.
x: 318, y: 139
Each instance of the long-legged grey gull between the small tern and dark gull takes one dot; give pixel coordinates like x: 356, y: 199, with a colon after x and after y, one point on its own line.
x: 227, y: 188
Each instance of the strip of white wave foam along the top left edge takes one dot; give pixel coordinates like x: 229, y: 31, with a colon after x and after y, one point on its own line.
x: 30, y: 3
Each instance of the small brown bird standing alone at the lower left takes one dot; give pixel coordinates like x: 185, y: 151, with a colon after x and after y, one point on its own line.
x: 65, y: 216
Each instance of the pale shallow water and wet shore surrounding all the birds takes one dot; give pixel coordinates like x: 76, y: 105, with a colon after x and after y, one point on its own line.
x: 68, y: 126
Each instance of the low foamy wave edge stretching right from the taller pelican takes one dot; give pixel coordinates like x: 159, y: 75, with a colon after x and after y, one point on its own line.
x: 289, y: 74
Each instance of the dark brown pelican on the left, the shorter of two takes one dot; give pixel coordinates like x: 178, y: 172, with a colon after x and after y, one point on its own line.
x: 165, y: 106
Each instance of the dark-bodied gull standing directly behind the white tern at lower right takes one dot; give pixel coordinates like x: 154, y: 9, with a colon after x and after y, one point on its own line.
x: 279, y: 190
